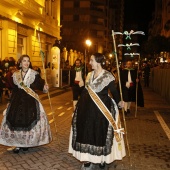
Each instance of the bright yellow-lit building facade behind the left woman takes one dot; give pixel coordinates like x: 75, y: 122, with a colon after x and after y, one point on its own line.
x: 26, y: 26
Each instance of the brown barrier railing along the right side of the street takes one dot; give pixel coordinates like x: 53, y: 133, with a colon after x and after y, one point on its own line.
x: 160, y: 82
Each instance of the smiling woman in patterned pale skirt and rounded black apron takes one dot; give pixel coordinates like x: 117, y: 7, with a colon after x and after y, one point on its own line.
x: 25, y: 123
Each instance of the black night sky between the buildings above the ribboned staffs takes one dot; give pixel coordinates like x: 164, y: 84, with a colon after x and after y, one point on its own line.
x: 138, y: 12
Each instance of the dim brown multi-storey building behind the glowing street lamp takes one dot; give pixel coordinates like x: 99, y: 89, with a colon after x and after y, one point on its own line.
x: 90, y: 19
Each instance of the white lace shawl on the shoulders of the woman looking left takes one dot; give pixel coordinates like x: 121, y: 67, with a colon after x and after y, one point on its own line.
x: 100, y: 82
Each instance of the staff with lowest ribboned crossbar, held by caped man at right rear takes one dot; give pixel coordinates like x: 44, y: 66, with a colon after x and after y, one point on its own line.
x: 132, y: 55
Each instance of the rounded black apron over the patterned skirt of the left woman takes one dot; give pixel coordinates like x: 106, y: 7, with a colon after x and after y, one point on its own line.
x: 23, y: 112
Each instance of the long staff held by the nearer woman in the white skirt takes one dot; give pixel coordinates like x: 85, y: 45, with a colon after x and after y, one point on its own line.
x: 118, y: 73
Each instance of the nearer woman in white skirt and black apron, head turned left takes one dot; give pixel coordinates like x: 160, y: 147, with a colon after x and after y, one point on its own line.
x: 96, y: 135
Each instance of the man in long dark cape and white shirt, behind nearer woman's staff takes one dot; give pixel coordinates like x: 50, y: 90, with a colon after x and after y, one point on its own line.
x: 129, y: 79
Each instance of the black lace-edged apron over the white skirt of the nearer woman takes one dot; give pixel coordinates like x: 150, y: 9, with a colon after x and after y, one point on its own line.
x: 91, y: 130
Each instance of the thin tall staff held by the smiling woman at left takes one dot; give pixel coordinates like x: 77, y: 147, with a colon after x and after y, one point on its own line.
x: 42, y: 59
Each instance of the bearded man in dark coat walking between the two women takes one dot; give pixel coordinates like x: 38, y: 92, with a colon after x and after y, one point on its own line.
x: 77, y: 78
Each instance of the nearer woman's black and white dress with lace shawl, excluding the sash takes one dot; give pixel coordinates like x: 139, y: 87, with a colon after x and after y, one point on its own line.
x: 92, y: 136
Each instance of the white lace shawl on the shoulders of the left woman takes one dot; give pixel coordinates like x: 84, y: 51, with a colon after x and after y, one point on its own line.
x: 28, y: 79
